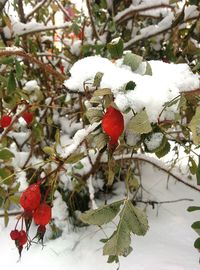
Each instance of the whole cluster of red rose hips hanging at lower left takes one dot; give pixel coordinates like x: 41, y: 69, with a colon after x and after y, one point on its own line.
x: 35, y: 210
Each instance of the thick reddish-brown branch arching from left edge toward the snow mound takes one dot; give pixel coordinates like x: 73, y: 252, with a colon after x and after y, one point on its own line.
x: 47, y: 68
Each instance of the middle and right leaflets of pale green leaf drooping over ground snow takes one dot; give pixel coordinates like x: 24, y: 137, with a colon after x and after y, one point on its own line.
x: 132, y: 220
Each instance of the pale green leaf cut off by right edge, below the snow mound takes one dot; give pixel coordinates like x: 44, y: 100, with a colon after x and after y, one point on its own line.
x: 194, y: 126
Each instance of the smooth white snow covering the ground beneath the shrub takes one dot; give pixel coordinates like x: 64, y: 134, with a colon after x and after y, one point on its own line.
x: 168, y: 245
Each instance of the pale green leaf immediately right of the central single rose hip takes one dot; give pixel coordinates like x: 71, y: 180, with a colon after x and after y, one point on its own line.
x: 139, y: 123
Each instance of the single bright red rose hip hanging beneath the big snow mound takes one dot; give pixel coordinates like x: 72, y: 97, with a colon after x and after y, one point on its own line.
x: 113, y: 124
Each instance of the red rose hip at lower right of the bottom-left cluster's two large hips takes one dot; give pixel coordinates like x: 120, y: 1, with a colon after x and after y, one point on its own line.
x: 42, y: 214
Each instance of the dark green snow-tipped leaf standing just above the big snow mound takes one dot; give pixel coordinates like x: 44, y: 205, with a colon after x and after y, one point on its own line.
x: 115, y: 48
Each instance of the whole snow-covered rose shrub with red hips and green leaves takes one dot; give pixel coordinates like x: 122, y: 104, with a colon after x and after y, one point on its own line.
x: 86, y: 95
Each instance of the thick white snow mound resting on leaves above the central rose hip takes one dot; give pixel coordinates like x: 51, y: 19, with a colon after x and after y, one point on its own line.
x: 151, y: 92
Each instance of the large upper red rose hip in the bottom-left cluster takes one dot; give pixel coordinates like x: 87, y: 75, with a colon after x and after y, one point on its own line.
x: 30, y: 198
